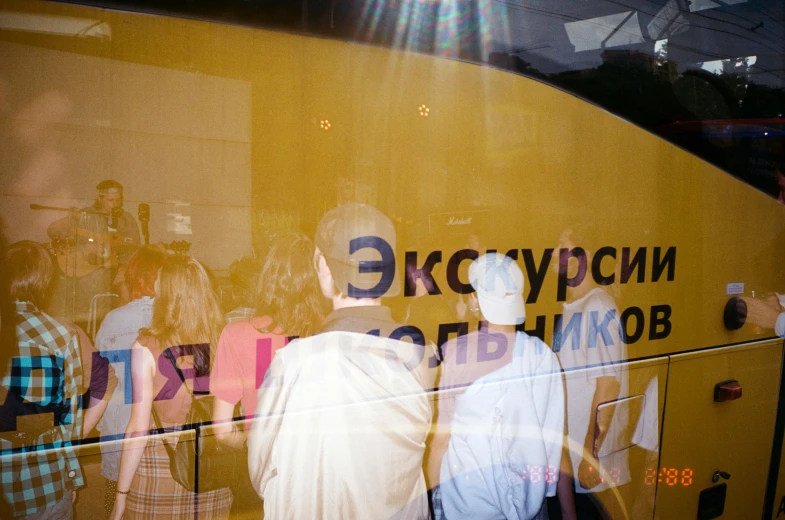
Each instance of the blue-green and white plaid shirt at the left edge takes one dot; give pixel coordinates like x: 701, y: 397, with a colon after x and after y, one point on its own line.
x: 38, y: 465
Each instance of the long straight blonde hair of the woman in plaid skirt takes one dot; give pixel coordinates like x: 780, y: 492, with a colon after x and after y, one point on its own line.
x: 186, y: 311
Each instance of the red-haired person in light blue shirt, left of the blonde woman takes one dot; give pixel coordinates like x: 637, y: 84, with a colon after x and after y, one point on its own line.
x: 118, y: 332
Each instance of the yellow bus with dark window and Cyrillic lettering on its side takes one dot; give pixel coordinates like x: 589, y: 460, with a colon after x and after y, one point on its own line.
x: 632, y: 148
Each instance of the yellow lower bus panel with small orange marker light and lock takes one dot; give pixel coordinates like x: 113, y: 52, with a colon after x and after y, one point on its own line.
x: 701, y: 436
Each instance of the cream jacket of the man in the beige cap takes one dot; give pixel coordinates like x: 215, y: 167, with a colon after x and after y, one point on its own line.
x: 341, y: 428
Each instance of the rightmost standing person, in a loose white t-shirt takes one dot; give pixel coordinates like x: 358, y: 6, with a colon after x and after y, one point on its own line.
x: 589, y: 334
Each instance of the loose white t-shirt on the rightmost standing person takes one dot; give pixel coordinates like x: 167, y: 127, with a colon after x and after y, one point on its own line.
x: 597, y: 344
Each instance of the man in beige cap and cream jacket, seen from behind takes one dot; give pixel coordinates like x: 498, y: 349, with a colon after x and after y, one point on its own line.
x: 343, y: 415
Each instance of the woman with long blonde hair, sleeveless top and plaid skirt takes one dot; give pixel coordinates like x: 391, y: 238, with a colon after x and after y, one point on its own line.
x: 185, y: 327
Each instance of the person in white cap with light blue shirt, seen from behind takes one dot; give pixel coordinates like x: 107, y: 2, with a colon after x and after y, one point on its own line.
x: 500, y: 415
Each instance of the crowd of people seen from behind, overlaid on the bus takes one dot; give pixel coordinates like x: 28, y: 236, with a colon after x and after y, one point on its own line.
x: 343, y: 411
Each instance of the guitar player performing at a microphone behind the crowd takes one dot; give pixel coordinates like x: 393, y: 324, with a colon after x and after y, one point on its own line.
x: 106, y: 236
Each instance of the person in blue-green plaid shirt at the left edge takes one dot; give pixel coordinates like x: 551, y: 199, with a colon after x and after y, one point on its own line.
x: 38, y: 479
